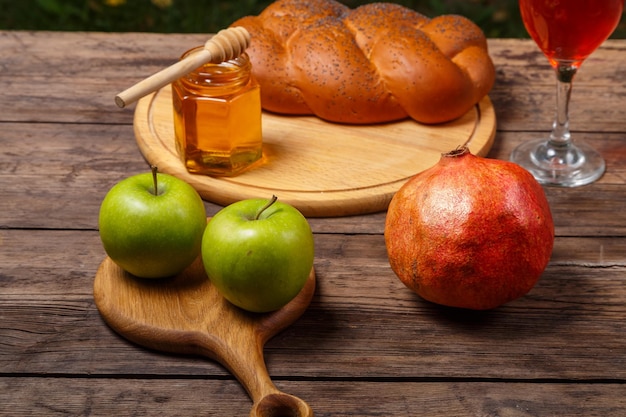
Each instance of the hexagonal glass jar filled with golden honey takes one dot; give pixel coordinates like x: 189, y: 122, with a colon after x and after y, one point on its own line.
x: 217, y: 117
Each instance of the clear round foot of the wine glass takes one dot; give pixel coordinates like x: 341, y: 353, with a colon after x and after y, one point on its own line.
x: 572, y: 165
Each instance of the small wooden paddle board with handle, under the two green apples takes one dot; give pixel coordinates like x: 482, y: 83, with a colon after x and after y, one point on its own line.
x: 186, y: 314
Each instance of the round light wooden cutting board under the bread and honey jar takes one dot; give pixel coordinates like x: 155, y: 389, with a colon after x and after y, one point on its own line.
x: 323, y: 169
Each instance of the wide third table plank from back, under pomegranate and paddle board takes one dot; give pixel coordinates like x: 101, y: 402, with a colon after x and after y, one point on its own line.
x: 362, y: 322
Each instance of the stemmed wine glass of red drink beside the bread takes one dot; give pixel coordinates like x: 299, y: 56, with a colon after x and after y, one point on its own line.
x: 567, y: 32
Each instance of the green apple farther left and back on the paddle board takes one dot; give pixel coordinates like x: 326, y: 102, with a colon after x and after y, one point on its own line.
x: 151, y: 224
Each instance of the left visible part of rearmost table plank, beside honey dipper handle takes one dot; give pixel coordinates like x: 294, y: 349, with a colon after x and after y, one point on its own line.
x: 84, y: 91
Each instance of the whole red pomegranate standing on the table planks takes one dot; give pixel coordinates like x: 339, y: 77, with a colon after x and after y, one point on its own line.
x: 470, y: 232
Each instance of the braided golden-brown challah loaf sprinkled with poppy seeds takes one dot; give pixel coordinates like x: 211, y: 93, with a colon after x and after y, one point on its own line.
x: 376, y: 63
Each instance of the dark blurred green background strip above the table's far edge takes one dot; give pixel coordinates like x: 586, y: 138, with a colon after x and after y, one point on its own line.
x: 497, y: 18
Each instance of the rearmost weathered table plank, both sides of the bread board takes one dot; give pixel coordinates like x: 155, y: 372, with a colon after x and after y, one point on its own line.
x: 523, y: 95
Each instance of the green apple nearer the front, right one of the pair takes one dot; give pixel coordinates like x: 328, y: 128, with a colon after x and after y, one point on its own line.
x: 258, y: 253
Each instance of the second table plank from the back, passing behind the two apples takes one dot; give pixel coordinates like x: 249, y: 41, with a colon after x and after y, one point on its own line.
x: 64, y: 176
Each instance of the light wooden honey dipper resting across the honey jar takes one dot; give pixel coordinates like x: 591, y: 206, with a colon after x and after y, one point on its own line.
x: 226, y: 44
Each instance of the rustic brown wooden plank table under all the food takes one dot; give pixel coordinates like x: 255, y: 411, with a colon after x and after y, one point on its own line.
x: 366, y: 346
